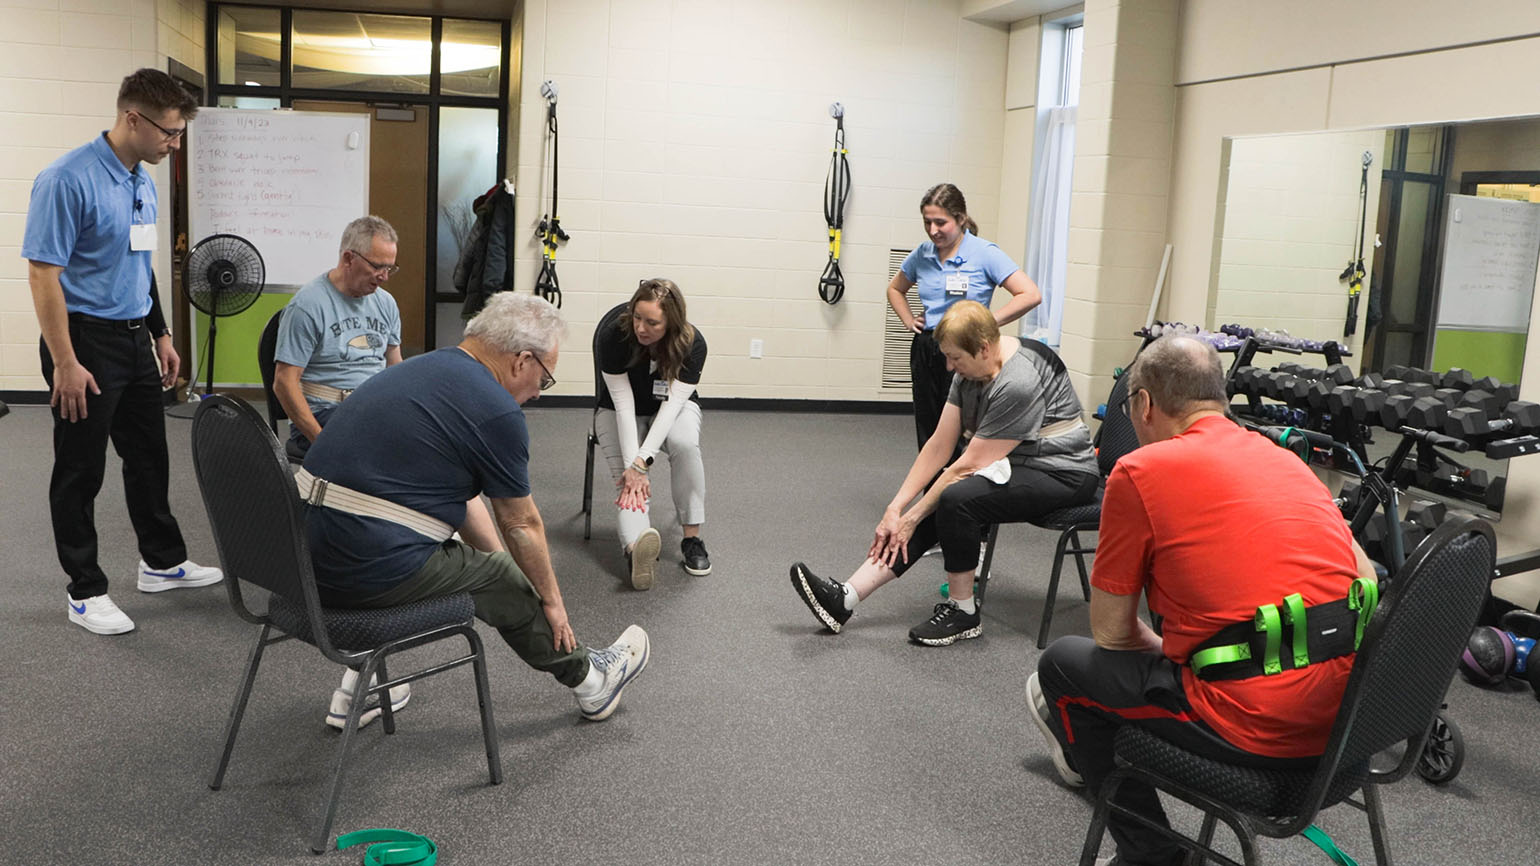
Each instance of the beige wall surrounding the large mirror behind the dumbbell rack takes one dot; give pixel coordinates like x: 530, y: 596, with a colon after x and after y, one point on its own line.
x: 1253, y: 67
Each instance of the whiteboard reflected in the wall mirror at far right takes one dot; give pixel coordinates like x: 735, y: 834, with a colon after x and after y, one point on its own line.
x: 1490, y: 258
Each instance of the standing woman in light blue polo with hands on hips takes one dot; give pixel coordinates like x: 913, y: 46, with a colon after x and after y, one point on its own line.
x: 956, y: 264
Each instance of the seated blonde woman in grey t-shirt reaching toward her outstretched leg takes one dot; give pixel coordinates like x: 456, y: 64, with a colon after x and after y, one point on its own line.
x: 1025, y: 452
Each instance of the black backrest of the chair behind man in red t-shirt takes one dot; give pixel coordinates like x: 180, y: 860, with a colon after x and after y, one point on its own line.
x: 1413, y: 646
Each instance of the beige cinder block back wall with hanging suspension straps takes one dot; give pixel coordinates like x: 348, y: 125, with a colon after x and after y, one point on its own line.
x: 695, y: 138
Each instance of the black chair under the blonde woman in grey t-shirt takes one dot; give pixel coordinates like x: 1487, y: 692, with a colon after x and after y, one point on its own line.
x: 1114, y: 438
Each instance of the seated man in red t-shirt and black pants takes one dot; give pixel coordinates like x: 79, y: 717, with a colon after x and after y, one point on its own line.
x: 1210, y: 522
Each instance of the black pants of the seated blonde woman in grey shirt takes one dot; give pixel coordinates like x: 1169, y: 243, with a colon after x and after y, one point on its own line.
x: 977, y: 503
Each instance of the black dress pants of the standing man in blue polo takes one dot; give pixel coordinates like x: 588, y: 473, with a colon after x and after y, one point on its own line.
x: 130, y: 414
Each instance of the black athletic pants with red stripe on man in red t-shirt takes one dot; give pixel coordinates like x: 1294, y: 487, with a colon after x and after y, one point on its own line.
x: 1093, y: 693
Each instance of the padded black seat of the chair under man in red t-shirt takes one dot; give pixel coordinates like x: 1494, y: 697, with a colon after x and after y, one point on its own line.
x: 1274, y: 793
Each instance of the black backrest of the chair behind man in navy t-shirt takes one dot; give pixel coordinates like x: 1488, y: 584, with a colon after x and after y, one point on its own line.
x: 253, y: 508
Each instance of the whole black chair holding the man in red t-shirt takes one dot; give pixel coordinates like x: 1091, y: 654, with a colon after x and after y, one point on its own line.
x: 1410, y: 653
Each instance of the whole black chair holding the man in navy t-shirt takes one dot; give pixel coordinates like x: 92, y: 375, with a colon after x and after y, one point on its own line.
x: 258, y: 525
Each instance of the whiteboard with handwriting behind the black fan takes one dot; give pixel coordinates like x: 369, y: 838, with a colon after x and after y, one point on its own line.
x: 286, y: 181
